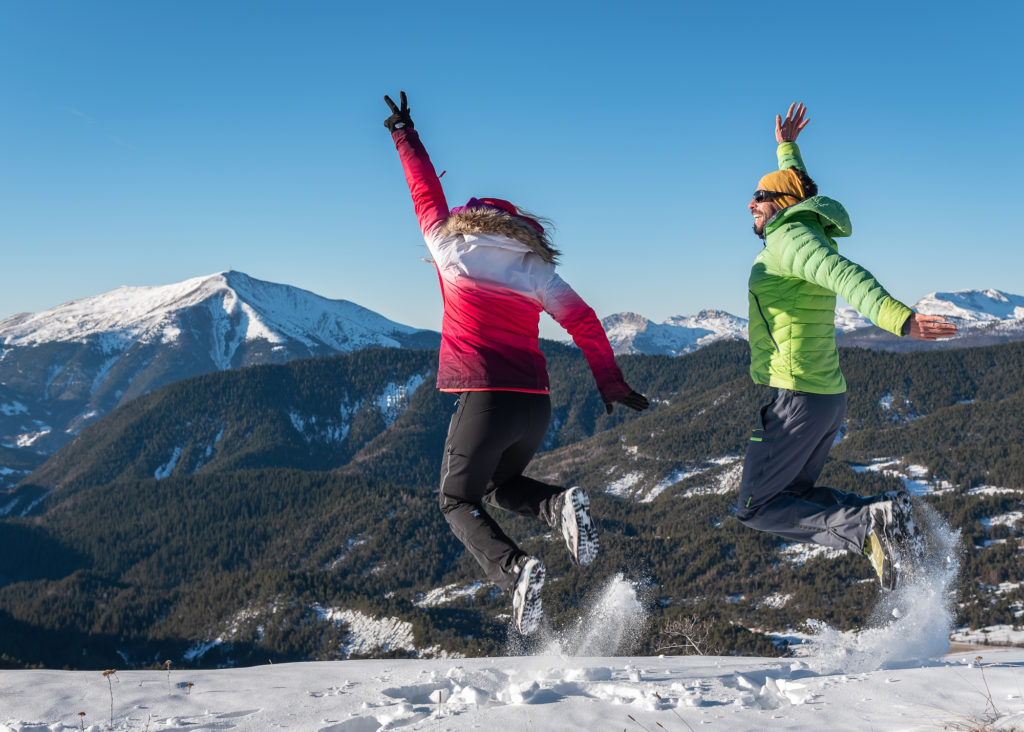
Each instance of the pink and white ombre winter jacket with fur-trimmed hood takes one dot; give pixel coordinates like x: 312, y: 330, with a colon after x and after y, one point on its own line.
x: 495, y: 286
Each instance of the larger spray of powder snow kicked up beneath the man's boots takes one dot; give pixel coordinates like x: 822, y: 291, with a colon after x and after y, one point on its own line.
x: 910, y: 625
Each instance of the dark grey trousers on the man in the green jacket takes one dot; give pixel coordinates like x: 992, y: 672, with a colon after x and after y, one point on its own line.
x: 785, y: 457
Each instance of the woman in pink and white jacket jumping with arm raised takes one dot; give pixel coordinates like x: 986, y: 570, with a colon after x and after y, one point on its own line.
x: 497, y: 270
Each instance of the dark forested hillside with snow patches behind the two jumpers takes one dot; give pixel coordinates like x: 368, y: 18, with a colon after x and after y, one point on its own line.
x: 273, y: 512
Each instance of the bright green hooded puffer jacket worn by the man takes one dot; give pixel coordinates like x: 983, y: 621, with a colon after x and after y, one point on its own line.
x: 793, y: 290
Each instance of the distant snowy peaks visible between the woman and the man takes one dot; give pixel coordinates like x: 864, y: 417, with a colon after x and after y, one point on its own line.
x: 630, y: 333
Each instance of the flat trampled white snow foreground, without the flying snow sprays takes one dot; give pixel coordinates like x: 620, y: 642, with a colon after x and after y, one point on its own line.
x: 529, y: 694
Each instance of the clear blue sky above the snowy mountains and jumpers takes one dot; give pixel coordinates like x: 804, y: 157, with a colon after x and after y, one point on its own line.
x: 149, y: 143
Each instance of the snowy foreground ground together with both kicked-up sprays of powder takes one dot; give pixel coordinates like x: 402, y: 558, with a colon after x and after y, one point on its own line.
x: 895, y: 674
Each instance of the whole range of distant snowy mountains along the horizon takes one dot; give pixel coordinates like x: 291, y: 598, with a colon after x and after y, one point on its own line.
x: 67, y: 367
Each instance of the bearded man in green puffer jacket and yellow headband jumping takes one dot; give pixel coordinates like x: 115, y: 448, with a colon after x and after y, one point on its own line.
x: 793, y: 288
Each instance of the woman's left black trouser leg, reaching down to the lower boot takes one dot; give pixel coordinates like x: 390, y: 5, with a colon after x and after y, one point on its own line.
x: 485, y: 425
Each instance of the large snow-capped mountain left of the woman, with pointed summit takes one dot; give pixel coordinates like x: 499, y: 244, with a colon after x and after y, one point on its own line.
x: 66, y: 367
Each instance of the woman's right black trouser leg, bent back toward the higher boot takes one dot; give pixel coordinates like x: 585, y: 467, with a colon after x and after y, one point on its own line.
x: 511, y: 490
